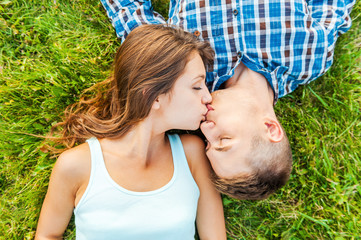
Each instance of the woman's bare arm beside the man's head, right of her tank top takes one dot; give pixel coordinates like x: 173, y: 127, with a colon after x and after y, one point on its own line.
x: 210, y: 217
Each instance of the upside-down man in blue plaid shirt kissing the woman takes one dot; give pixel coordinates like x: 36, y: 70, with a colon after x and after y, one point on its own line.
x: 264, y: 49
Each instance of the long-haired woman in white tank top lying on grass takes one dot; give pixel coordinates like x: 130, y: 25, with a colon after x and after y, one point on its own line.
x: 131, y: 180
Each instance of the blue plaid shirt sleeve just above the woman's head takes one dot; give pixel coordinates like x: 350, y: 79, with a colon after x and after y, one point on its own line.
x: 126, y: 15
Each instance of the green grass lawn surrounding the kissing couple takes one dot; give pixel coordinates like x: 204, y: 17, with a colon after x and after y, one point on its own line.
x: 51, y: 50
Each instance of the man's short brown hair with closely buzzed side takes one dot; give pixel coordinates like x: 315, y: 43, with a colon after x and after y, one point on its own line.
x: 270, y: 164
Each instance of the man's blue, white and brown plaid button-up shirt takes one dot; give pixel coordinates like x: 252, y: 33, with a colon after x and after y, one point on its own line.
x: 290, y: 42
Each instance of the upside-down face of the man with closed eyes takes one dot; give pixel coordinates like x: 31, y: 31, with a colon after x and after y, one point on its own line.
x: 229, y: 129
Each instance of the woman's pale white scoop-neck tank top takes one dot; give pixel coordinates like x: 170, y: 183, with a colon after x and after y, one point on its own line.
x: 109, y: 211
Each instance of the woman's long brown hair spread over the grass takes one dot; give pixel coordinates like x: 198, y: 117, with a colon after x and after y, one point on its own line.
x: 146, y: 65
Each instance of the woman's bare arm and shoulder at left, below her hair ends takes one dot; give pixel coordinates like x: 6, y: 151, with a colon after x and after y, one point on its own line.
x: 69, y: 174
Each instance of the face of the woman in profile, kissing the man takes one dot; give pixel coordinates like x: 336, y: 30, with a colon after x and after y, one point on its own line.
x: 184, y: 107
